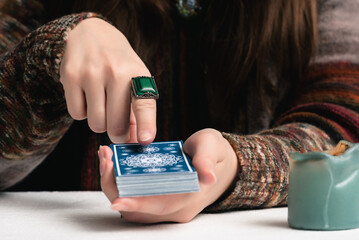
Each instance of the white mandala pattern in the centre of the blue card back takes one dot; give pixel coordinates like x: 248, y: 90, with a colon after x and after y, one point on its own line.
x: 153, y: 162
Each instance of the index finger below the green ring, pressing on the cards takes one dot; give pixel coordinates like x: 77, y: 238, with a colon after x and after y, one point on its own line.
x: 145, y: 113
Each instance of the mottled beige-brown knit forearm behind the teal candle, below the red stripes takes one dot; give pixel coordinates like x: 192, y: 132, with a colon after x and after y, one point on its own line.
x: 262, y: 178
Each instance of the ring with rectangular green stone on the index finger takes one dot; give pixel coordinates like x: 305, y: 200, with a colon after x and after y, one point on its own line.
x: 144, y: 88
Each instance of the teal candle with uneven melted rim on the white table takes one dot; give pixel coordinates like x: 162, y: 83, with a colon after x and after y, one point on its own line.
x: 323, y: 189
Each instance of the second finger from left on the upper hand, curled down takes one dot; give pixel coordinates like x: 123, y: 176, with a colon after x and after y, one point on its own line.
x: 96, y: 106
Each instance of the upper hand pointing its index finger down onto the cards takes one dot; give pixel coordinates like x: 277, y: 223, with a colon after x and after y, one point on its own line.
x: 96, y: 73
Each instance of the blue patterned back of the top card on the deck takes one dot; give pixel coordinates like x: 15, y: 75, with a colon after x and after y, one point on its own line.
x: 156, y: 158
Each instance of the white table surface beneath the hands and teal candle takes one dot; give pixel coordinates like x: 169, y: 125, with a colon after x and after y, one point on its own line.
x: 86, y: 215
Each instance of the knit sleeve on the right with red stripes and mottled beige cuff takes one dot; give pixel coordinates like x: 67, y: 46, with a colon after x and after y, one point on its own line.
x: 324, y: 111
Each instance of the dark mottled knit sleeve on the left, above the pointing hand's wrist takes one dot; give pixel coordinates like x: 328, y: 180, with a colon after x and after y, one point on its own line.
x: 33, y: 114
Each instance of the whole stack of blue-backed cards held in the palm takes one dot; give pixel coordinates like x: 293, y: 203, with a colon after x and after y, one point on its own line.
x: 156, y: 169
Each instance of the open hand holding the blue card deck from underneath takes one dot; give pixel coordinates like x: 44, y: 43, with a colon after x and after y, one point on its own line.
x: 216, y: 164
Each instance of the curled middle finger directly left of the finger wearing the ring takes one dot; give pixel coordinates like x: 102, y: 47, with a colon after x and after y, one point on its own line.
x: 118, y: 112
